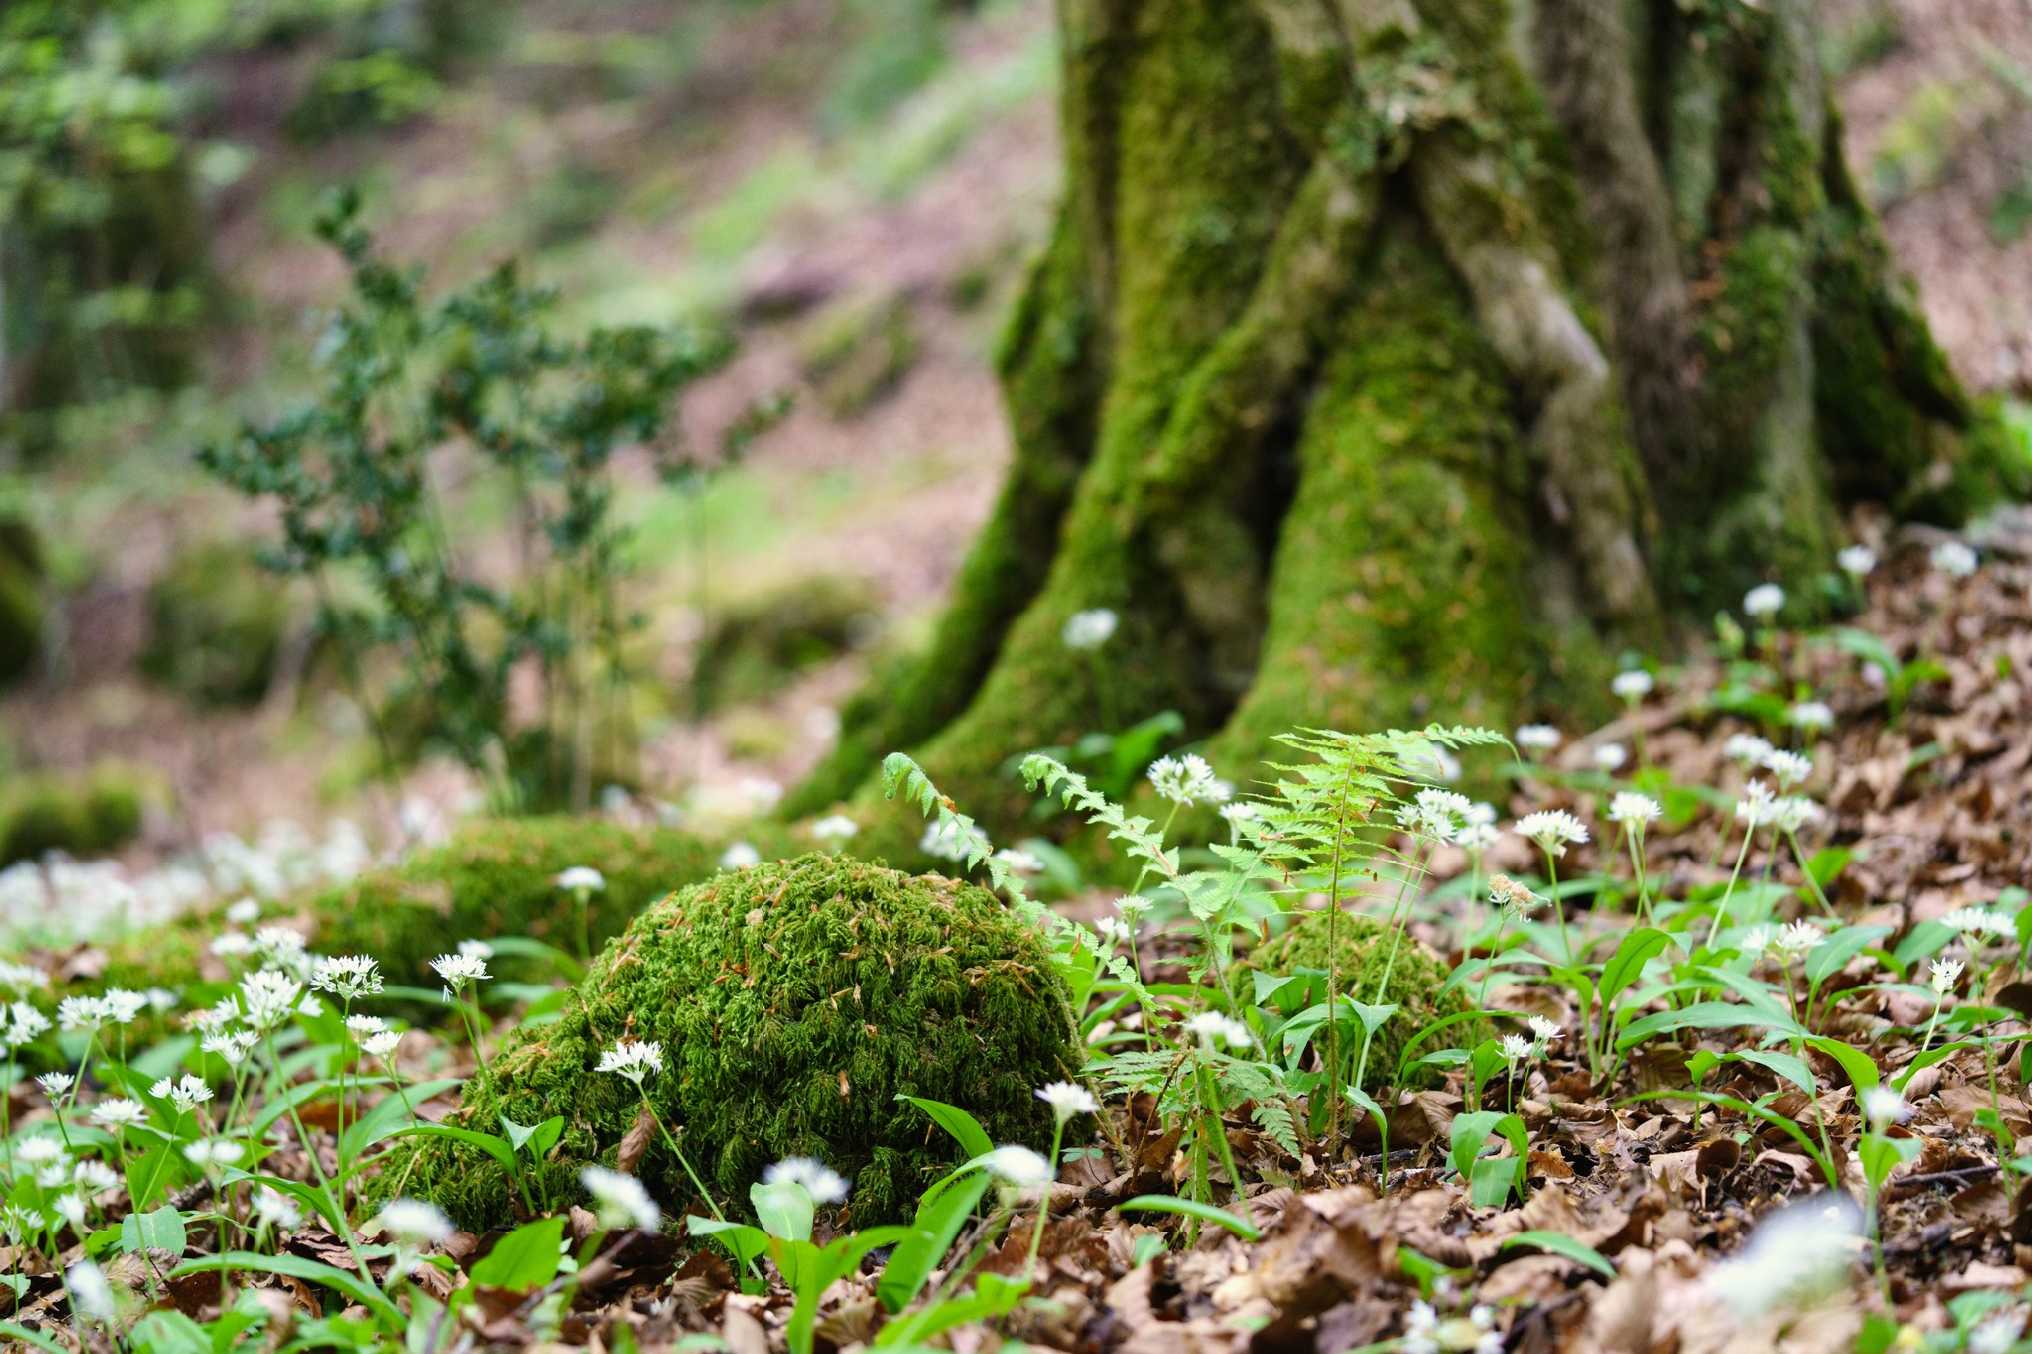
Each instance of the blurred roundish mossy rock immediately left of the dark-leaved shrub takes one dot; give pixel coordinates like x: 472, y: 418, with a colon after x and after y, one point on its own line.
x: 216, y: 625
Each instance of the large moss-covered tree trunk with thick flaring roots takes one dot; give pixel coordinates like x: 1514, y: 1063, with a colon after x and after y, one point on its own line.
x: 1405, y: 359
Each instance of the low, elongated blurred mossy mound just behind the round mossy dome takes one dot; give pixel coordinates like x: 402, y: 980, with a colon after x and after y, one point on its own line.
x: 495, y: 877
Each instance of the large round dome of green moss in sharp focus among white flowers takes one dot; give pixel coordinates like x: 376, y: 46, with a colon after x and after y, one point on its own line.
x: 793, y: 1005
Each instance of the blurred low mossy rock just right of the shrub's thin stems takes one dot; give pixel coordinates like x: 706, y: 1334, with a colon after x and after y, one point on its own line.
x: 763, y: 643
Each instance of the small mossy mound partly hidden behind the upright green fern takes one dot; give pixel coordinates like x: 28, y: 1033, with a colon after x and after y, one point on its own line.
x: 1364, y: 950
